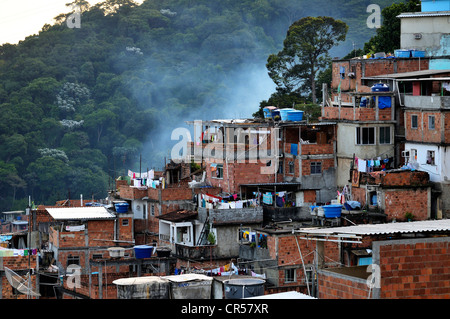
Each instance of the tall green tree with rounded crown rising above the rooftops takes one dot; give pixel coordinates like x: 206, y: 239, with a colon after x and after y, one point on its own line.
x: 305, y: 52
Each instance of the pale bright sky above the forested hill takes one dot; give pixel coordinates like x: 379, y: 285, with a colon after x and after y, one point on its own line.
x: 21, y: 18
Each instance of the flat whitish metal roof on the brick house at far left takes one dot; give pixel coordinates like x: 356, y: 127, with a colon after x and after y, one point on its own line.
x: 70, y: 213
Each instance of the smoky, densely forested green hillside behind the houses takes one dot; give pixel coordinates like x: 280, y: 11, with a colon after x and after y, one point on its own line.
x: 80, y: 105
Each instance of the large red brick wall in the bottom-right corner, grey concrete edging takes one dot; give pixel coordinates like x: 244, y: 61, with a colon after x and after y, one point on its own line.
x: 416, y: 268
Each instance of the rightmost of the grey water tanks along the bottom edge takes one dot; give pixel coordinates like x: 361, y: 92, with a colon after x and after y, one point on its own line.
x: 243, y: 288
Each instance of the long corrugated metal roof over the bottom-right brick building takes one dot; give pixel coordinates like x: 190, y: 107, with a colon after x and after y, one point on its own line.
x: 382, y: 229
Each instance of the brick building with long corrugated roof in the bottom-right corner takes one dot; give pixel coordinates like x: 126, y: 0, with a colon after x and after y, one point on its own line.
x: 408, y: 260
